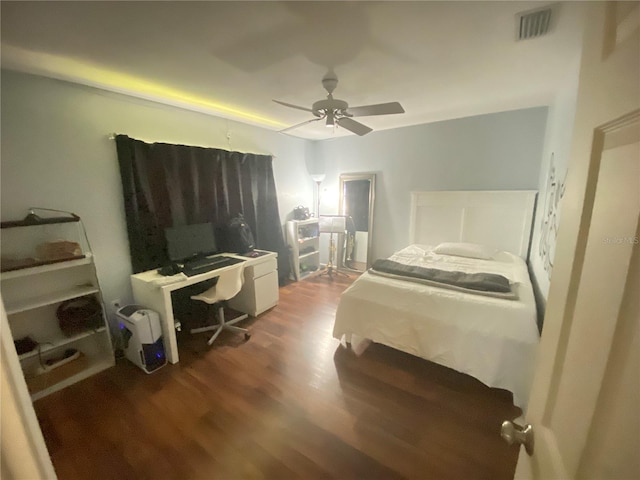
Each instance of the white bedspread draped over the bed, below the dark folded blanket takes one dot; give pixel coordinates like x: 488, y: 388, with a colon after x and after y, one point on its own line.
x: 494, y: 340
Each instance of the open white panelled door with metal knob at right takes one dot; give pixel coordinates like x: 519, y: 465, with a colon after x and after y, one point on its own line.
x: 585, y: 399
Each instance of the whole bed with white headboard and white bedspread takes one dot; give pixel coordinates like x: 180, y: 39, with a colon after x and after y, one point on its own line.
x: 492, y: 336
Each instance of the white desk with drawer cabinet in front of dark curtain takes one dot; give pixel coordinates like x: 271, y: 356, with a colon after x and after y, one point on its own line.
x: 259, y: 292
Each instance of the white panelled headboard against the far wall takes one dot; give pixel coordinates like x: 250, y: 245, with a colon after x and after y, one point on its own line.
x: 500, y: 219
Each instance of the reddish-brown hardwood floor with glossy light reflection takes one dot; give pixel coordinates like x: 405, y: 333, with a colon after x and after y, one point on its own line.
x: 289, y: 403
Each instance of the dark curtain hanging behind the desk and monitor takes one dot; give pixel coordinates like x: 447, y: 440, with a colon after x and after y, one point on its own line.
x: 168, y: 185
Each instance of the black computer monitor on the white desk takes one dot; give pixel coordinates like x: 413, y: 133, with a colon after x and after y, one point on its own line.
x: 190, y: 241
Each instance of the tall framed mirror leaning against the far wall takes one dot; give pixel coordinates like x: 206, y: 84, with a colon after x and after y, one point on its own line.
x: 357, y: 194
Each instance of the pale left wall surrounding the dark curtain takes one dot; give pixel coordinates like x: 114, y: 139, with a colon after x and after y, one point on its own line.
x: 56, y: 154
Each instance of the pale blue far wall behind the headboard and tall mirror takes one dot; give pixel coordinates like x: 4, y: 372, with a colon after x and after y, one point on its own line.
x: 500, y: 151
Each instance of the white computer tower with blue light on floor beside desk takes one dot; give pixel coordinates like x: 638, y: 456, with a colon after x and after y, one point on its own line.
x: 142, y: 337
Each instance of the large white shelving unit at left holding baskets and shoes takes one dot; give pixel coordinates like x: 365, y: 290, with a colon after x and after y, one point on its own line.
x: 32, y: 290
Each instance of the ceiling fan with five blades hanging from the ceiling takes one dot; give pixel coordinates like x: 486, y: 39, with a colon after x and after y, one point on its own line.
x: 338, y: 112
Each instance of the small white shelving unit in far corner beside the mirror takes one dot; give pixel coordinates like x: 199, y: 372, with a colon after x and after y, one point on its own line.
x: 303, y: 238
